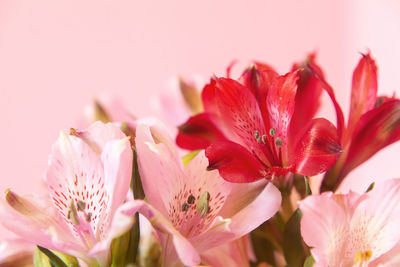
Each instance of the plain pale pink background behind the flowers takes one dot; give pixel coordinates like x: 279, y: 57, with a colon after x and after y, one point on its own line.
x: 56, y: 56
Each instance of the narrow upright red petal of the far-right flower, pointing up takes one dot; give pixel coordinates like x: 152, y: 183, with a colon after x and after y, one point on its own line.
x: 363, y: 93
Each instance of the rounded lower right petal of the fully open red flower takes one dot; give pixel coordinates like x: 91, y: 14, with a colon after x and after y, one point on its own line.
x: 317, y: 148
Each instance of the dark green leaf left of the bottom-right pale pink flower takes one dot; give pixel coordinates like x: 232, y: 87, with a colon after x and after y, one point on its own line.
x: 293, y: 248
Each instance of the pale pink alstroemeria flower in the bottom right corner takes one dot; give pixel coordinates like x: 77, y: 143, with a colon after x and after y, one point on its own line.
x: 352, y: 229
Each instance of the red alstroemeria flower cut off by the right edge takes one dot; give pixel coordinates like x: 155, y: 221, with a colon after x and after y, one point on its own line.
x: 374, y: 123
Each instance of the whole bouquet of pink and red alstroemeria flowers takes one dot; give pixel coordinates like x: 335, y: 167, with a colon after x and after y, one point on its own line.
x: 225, y: 180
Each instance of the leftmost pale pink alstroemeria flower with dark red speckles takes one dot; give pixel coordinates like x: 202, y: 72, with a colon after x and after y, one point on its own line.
x: 88, y: 178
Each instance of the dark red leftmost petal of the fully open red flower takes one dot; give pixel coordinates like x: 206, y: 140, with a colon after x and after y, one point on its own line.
x: 198, y: 132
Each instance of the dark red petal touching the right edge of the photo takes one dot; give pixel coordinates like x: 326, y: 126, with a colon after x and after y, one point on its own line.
x: 375, y: 130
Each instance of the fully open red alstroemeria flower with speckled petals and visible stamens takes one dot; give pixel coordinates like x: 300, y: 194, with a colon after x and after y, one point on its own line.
x: 247, y: 126
